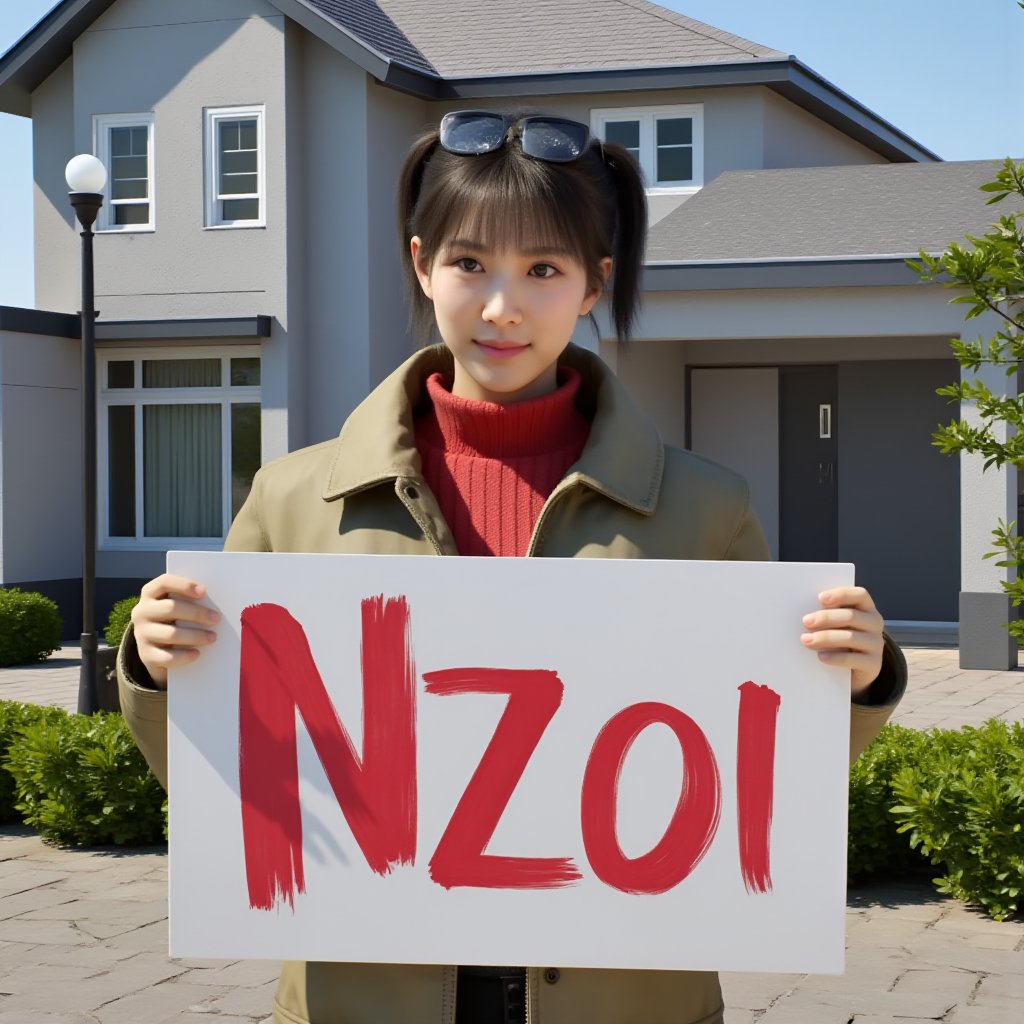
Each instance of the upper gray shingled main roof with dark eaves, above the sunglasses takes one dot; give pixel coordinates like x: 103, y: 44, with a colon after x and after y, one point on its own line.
x: 487, y: 50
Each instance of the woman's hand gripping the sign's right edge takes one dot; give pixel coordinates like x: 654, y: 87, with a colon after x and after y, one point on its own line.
x: 847, y: 632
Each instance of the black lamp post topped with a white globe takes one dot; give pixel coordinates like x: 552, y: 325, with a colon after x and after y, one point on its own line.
x: 87, y: 179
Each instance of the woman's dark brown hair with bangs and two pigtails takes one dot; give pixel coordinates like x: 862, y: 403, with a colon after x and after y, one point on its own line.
x: 594, y: 207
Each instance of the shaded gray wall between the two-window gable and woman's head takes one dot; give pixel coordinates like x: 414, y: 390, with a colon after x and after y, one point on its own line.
x: 350, y: 286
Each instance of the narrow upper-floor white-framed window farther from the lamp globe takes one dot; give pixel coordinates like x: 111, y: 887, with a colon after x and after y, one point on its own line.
x: 236, y: 161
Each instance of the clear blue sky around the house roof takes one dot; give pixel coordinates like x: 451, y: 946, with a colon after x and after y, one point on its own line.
x: 931, y: 68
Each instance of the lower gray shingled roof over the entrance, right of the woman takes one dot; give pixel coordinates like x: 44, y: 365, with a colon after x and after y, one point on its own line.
x: 830, y: 214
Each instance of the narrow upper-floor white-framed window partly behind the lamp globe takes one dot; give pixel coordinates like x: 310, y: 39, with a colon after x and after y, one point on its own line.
x: 124, y: 144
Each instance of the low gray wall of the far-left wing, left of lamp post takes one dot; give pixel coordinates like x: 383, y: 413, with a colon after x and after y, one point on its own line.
x: 40, y: 468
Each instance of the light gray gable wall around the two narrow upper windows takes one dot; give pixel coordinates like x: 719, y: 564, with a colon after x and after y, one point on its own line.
x: 175, y: 62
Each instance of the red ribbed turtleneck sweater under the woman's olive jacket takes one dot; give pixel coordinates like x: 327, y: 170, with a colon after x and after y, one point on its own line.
x: 492, y: 467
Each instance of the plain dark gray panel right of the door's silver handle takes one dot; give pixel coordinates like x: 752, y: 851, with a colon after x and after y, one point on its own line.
x: 900, y: 497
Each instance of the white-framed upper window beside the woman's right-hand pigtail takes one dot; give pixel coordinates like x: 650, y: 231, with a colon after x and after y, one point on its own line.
x: 666, y: 142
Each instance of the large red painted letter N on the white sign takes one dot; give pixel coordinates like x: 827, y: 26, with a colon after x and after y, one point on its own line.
x: 376, y: 793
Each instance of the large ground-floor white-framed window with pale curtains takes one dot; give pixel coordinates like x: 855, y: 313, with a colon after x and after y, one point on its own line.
x: 179, y: 445
